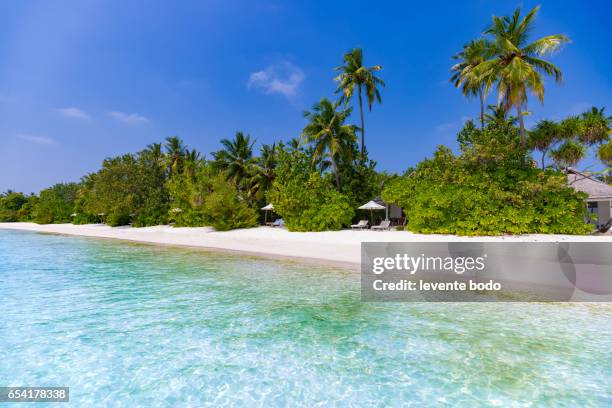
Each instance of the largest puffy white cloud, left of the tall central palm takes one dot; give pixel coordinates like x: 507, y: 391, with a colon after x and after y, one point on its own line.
x: 283, y: 78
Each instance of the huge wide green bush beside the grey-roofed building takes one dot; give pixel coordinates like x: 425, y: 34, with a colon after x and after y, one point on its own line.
x: 487, y: 191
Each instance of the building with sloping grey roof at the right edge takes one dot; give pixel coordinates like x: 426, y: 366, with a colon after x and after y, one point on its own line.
x: 600, y: 195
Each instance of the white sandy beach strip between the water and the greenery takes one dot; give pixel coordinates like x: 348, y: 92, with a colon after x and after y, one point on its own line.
x: 340, y: 248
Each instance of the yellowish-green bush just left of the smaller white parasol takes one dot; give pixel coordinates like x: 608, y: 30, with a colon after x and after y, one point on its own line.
x: 225, y: 209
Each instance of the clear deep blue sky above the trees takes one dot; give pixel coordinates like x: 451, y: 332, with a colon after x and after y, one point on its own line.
x: 81, y: 81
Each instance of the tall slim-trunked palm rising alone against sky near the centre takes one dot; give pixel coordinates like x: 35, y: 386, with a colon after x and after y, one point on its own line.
x: 353, y: 75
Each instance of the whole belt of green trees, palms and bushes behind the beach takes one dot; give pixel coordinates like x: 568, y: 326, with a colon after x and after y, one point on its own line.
x: 318, y: 179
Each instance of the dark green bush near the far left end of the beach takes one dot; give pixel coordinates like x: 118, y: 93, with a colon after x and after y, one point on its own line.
x: 55, y: 204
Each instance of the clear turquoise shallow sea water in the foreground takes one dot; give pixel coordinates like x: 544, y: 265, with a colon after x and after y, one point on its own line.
x: 134, y: 325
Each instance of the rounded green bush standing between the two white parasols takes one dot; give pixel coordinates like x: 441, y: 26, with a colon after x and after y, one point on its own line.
x: 305, y: 199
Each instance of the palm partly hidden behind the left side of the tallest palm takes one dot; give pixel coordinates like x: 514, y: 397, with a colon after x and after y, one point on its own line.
x: 464, y: 76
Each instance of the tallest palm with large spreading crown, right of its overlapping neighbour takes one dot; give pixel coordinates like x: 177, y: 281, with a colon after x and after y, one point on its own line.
x: 517, y: 66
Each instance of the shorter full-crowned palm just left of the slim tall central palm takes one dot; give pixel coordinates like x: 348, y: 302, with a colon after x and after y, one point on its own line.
x: 330, y: 136
